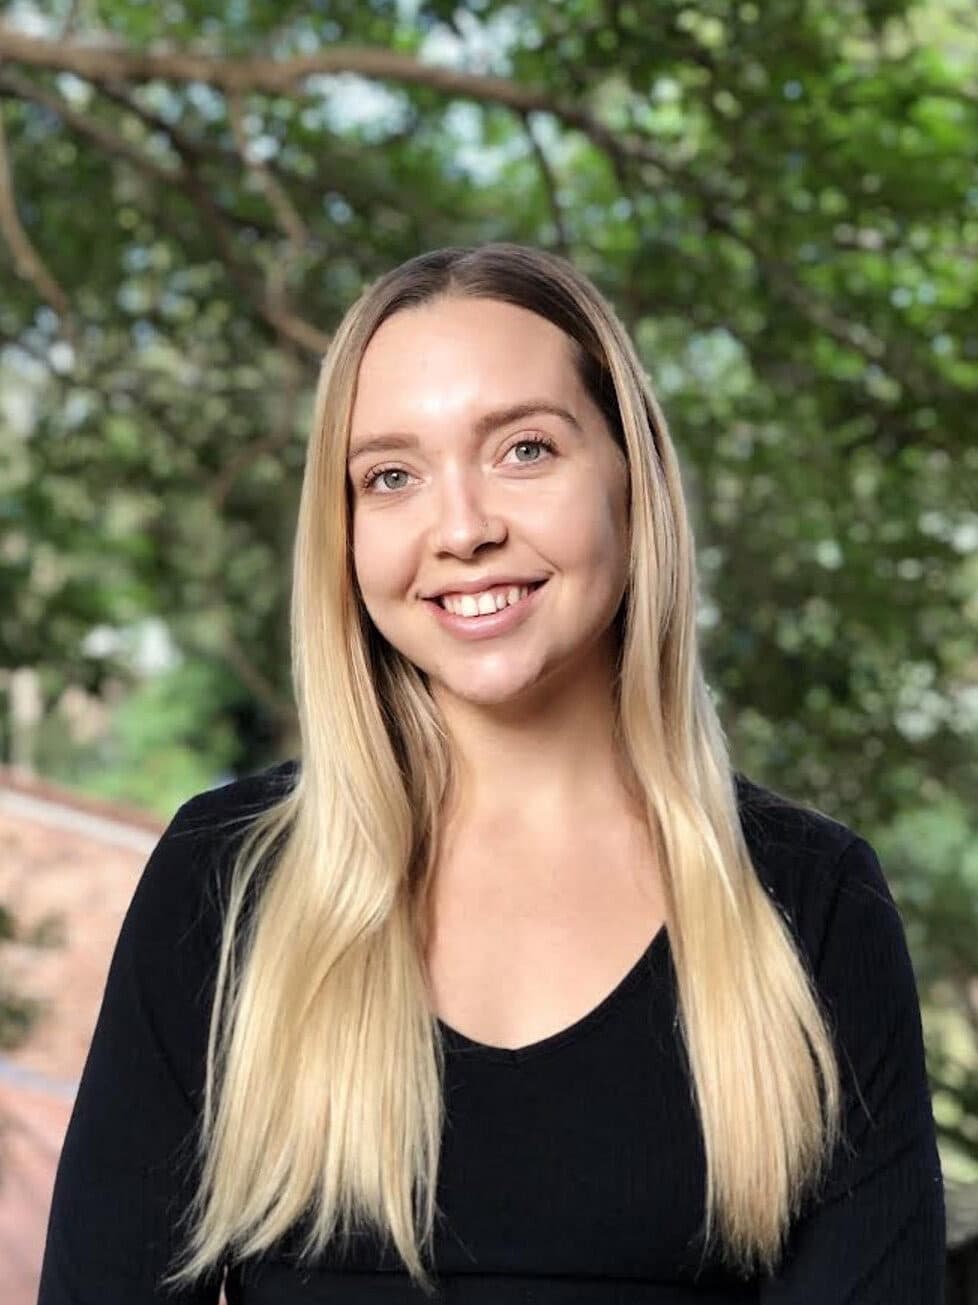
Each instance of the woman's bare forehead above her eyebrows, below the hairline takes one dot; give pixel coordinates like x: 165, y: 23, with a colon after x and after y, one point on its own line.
x: 454, y: 353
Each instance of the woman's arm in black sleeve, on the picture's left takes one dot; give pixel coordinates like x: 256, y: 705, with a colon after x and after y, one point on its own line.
x: 127, y: 1165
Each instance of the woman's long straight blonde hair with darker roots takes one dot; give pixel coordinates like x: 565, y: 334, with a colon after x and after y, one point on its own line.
x: 326, y: 1071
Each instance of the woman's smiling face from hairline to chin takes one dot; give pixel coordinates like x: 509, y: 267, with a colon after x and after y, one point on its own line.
x: 497, y: 469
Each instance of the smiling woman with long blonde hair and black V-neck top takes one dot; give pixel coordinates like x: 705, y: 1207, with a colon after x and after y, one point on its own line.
x: 519, y: 992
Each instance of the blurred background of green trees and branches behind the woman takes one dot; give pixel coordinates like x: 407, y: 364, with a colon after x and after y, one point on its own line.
x: 781, y: 200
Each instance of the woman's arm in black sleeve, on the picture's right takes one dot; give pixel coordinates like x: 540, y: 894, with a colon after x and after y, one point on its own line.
x: 875, y: 1235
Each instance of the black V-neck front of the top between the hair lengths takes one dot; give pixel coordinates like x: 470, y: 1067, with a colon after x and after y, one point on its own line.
x: 570, y: 1171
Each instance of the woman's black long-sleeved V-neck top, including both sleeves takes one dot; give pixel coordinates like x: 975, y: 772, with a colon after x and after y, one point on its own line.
x: 573, y: 1170
